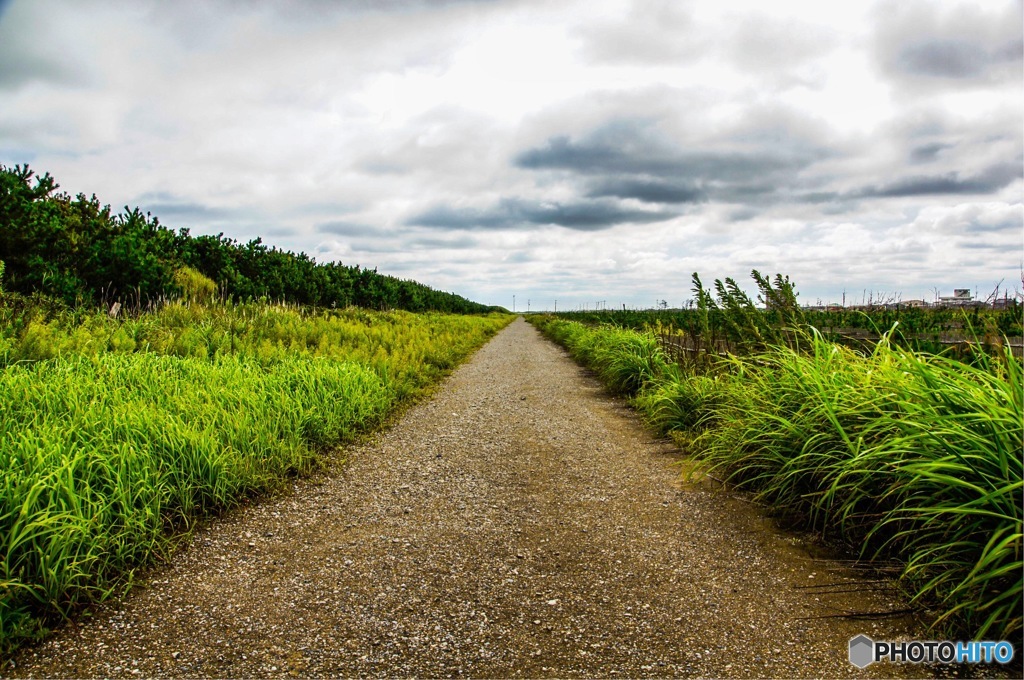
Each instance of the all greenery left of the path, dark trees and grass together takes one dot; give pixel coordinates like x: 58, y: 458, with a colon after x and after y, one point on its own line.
x: 151, y: 379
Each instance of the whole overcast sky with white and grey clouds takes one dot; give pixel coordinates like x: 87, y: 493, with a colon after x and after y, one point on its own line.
x: 578, y: 152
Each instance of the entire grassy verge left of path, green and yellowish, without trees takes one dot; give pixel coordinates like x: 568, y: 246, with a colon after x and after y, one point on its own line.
x: 117, y: 437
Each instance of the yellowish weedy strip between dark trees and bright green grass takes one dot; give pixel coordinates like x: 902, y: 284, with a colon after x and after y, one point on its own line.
x: 413, y: 350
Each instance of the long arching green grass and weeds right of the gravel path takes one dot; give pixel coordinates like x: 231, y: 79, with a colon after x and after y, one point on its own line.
x: 910, y: 458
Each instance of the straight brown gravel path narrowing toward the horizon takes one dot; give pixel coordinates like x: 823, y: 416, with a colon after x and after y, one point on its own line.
x: 522, y: 524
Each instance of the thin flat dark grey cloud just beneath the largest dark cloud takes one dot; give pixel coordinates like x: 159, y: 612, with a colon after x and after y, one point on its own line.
x: 510, y: 214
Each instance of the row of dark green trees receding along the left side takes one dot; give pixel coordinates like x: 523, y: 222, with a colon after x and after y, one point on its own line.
x: 75, y: 250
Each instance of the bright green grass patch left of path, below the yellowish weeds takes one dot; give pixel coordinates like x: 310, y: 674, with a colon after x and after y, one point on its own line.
x: 103, y: 456
